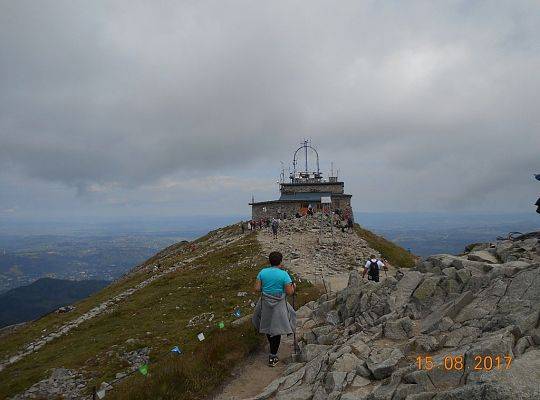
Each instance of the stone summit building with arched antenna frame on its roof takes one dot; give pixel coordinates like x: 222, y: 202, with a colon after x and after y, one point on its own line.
x: 306, y: 188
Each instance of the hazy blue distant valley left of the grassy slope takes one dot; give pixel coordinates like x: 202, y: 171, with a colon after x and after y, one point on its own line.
x: 24, y: 259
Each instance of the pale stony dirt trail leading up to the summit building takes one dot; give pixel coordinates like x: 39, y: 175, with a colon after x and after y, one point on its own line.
x: 321, y: 259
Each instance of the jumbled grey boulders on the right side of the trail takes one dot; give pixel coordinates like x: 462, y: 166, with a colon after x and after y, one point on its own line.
x: 453, y: 327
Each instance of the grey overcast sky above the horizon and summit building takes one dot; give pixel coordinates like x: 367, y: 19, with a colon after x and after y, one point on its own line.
x: 130, y: 108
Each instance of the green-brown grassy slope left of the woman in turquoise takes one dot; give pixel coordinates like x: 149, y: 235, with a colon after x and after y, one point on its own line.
x: 156, y: 317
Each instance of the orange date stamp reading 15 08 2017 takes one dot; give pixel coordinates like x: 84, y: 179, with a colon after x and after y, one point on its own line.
x: 457, y: 362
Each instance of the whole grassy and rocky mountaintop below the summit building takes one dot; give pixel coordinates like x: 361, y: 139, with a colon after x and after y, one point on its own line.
x: 178, y: 325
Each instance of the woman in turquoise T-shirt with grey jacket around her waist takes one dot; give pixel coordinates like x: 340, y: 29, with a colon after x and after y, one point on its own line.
x: 273, y: 315
